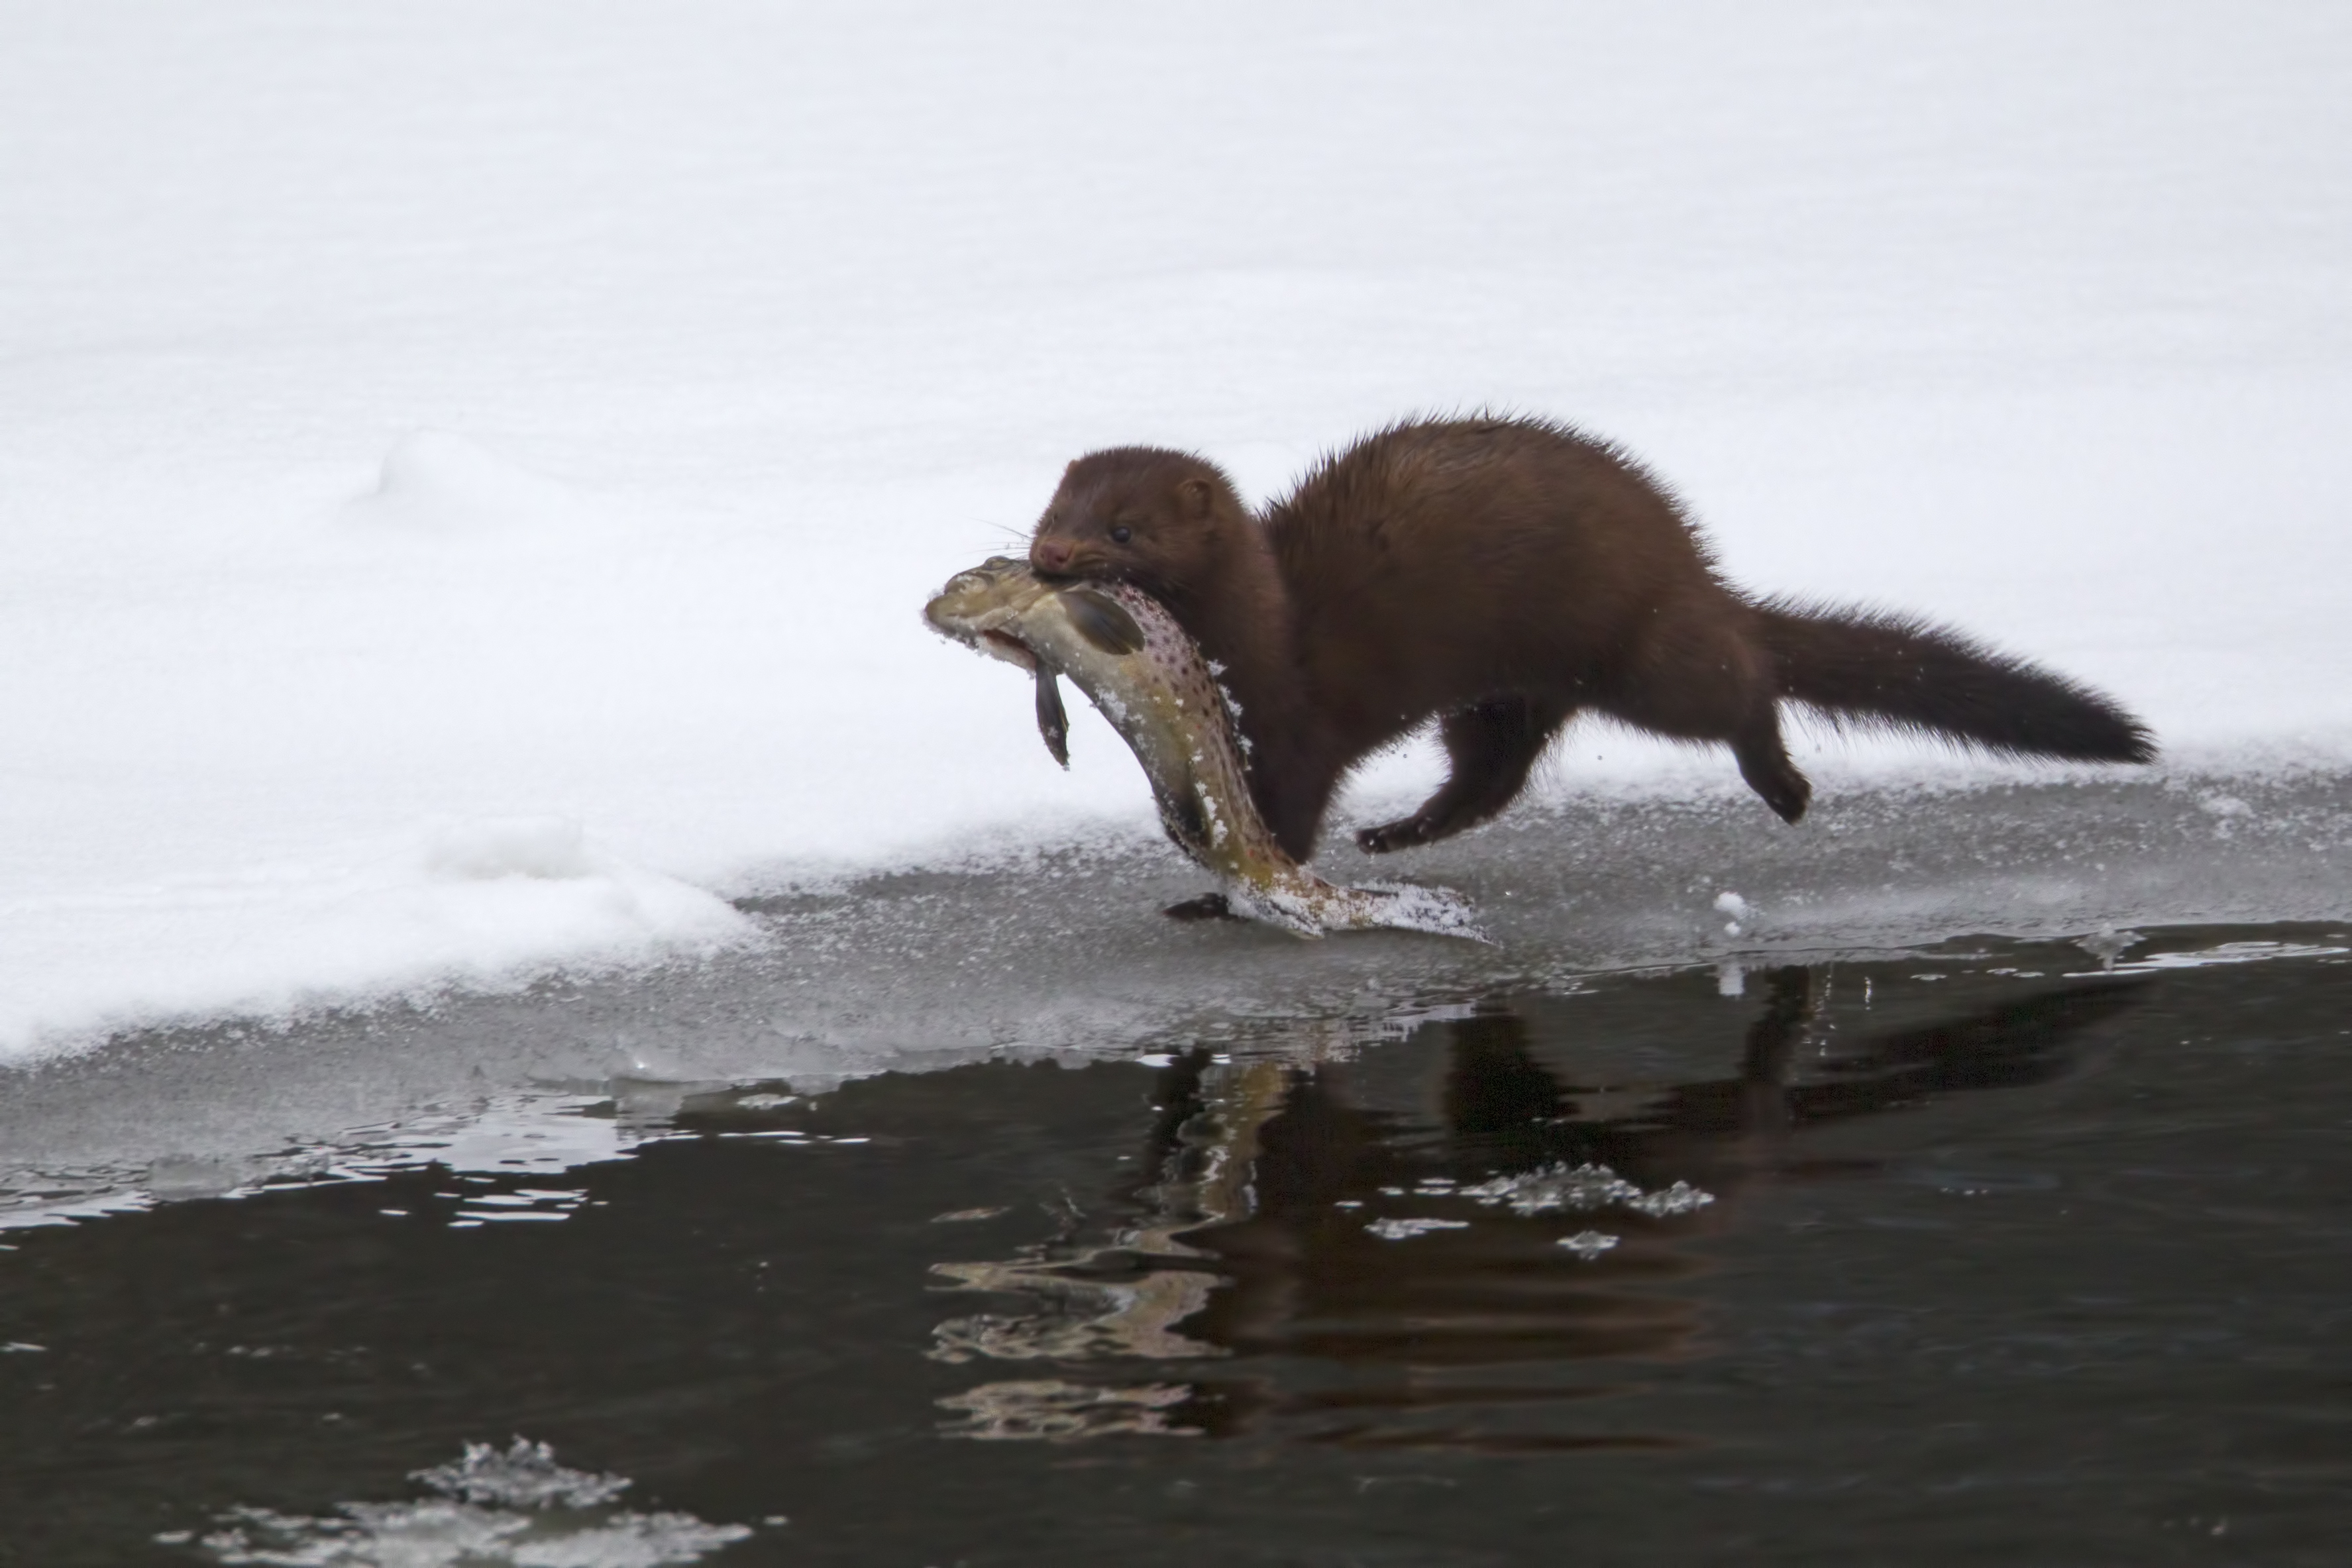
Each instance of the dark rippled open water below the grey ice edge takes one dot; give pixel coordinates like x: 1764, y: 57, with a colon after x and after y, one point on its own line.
x: 1977, y: 1257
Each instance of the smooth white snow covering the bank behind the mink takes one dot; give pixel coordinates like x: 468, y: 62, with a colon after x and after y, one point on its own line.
x: 469, y: 476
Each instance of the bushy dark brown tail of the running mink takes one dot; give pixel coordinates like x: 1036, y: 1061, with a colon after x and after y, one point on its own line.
x: 1892, y: 671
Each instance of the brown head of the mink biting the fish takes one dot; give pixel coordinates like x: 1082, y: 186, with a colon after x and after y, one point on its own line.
x: 1140, y: 516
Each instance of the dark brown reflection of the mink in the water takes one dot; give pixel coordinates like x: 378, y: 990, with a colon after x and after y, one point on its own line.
x: 1434, y: 1341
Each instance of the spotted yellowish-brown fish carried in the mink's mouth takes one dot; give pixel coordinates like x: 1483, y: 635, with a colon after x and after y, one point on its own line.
x: 1154, y: 685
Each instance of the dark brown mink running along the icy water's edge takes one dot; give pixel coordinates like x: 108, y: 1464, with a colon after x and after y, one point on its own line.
x: 1502, y: 577
